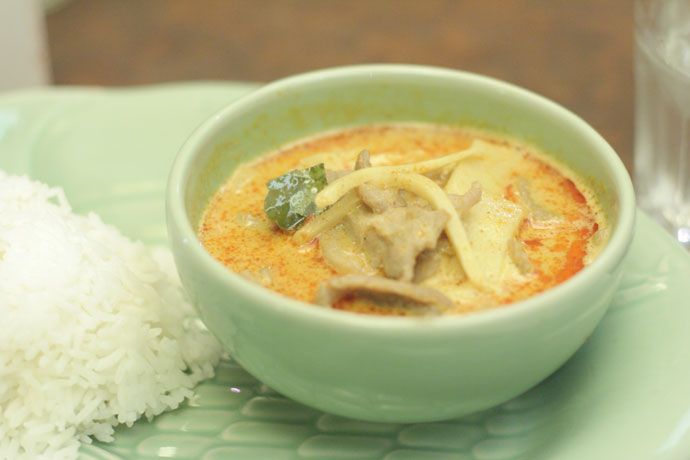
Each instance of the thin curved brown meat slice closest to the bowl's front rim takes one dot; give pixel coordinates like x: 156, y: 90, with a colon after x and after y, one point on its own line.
x: 336, y: 288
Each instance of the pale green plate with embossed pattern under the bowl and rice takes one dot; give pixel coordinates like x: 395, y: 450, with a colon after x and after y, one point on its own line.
x: 625, y: 395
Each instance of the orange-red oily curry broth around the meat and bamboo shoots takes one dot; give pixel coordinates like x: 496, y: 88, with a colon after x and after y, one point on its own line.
x: 236, y: 231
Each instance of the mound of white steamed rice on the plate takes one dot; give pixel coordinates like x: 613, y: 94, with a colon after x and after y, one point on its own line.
x: 95, y: 330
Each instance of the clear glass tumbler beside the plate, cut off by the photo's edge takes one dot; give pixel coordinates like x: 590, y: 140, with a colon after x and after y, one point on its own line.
x: 662, y: 113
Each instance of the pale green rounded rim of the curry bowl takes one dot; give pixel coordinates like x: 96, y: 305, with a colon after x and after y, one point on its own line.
x: 611, y: 255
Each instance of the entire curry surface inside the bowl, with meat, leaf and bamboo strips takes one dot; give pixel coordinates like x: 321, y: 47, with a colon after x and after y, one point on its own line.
x: 409, y: 219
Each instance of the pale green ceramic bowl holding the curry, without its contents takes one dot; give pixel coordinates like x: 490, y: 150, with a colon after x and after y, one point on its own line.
x: 379, y: 368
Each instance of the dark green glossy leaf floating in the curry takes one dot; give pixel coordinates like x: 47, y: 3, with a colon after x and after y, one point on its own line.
x: 290, y: 198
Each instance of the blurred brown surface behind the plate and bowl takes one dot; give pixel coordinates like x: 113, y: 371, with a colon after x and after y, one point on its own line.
x: 578, y: 53
